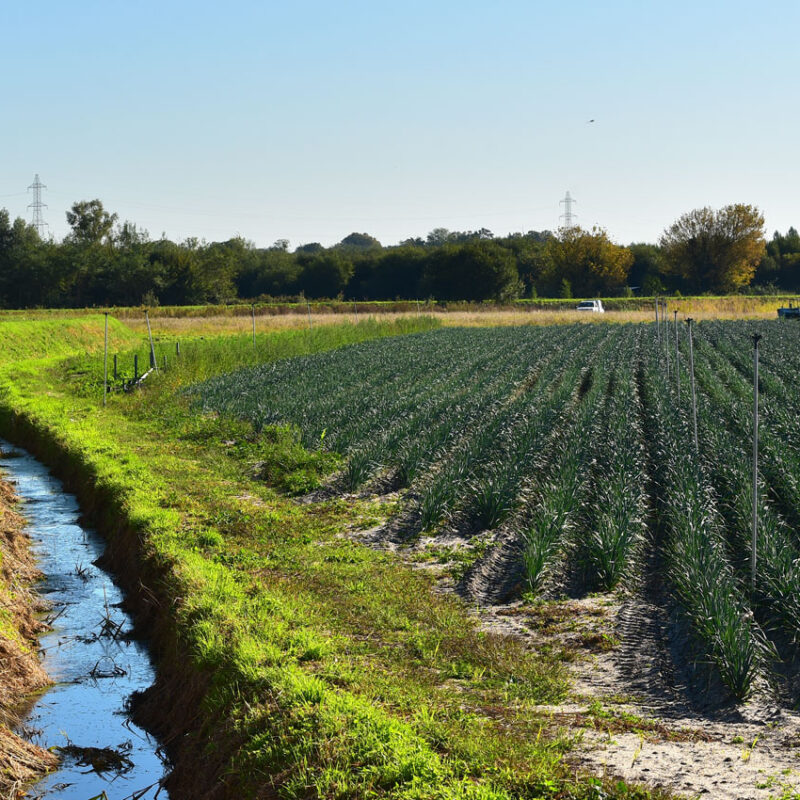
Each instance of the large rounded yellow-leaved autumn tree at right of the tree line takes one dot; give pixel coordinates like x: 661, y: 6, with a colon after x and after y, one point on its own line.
x: 716, y: 251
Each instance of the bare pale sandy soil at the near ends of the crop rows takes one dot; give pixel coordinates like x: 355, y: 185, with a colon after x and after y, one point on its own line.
x: 644, y: 708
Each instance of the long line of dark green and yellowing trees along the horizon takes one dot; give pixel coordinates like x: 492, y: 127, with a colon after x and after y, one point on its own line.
x: 103, y: 262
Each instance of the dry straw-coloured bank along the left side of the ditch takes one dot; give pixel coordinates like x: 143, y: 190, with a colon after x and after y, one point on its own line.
x: 20, y: 671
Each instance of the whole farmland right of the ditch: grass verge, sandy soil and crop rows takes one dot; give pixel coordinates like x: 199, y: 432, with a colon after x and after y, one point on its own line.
x: 397, y: 559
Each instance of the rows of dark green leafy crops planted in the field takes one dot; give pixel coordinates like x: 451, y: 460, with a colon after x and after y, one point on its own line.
x: 571, y: 448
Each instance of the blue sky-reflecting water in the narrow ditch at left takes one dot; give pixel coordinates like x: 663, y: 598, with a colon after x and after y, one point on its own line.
x: 89, y: 655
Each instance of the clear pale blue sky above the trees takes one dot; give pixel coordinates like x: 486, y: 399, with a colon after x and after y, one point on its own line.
x: 310, y: 120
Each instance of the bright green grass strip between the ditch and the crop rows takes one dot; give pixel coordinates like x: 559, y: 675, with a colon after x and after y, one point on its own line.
x: 332, y: 670
